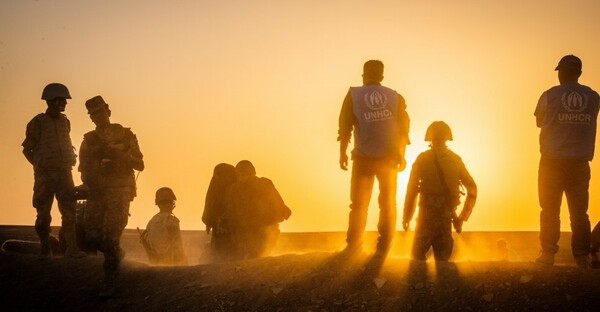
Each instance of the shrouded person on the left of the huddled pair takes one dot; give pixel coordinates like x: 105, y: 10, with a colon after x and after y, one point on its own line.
x: 214, y: 208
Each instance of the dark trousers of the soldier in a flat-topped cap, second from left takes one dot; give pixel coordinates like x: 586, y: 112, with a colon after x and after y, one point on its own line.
x: 104, y: 220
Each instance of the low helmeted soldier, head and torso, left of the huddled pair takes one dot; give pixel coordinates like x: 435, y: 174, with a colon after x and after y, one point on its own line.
x: 162, y: 232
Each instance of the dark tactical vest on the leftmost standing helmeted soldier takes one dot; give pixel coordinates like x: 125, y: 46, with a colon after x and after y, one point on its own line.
x: 54, y: 149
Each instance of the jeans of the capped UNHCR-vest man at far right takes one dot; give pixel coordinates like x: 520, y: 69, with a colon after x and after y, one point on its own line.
x: 572, y: 178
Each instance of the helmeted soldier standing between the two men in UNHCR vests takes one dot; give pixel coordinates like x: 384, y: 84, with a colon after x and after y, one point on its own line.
x: 436, y: 177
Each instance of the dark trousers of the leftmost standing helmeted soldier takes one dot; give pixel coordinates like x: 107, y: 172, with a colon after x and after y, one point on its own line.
x: 47, y: 185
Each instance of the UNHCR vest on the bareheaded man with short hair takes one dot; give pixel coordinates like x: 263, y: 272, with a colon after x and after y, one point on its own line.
x: 376, y: 132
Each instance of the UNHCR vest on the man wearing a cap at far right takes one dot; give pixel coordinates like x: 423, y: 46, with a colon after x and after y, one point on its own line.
x: 568, y: 128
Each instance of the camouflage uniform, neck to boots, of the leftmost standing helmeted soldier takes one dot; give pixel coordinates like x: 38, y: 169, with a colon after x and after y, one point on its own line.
x: 47, y: 146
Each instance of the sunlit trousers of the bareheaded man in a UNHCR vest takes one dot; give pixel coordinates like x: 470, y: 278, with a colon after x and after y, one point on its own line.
x: 364, y: 172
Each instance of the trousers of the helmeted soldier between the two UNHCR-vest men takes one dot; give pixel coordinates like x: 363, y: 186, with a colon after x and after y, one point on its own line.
x: 433, y: 233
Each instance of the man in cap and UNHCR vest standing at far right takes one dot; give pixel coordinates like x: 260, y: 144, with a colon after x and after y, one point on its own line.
x: 567, y: 116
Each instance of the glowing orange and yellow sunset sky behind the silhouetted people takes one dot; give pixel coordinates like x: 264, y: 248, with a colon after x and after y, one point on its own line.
x: 204, y: 82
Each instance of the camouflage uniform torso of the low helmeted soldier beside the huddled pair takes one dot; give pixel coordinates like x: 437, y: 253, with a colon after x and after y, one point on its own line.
x: 164, y: 237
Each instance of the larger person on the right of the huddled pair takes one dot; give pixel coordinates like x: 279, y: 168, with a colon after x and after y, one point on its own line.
x: 254, y: 211
